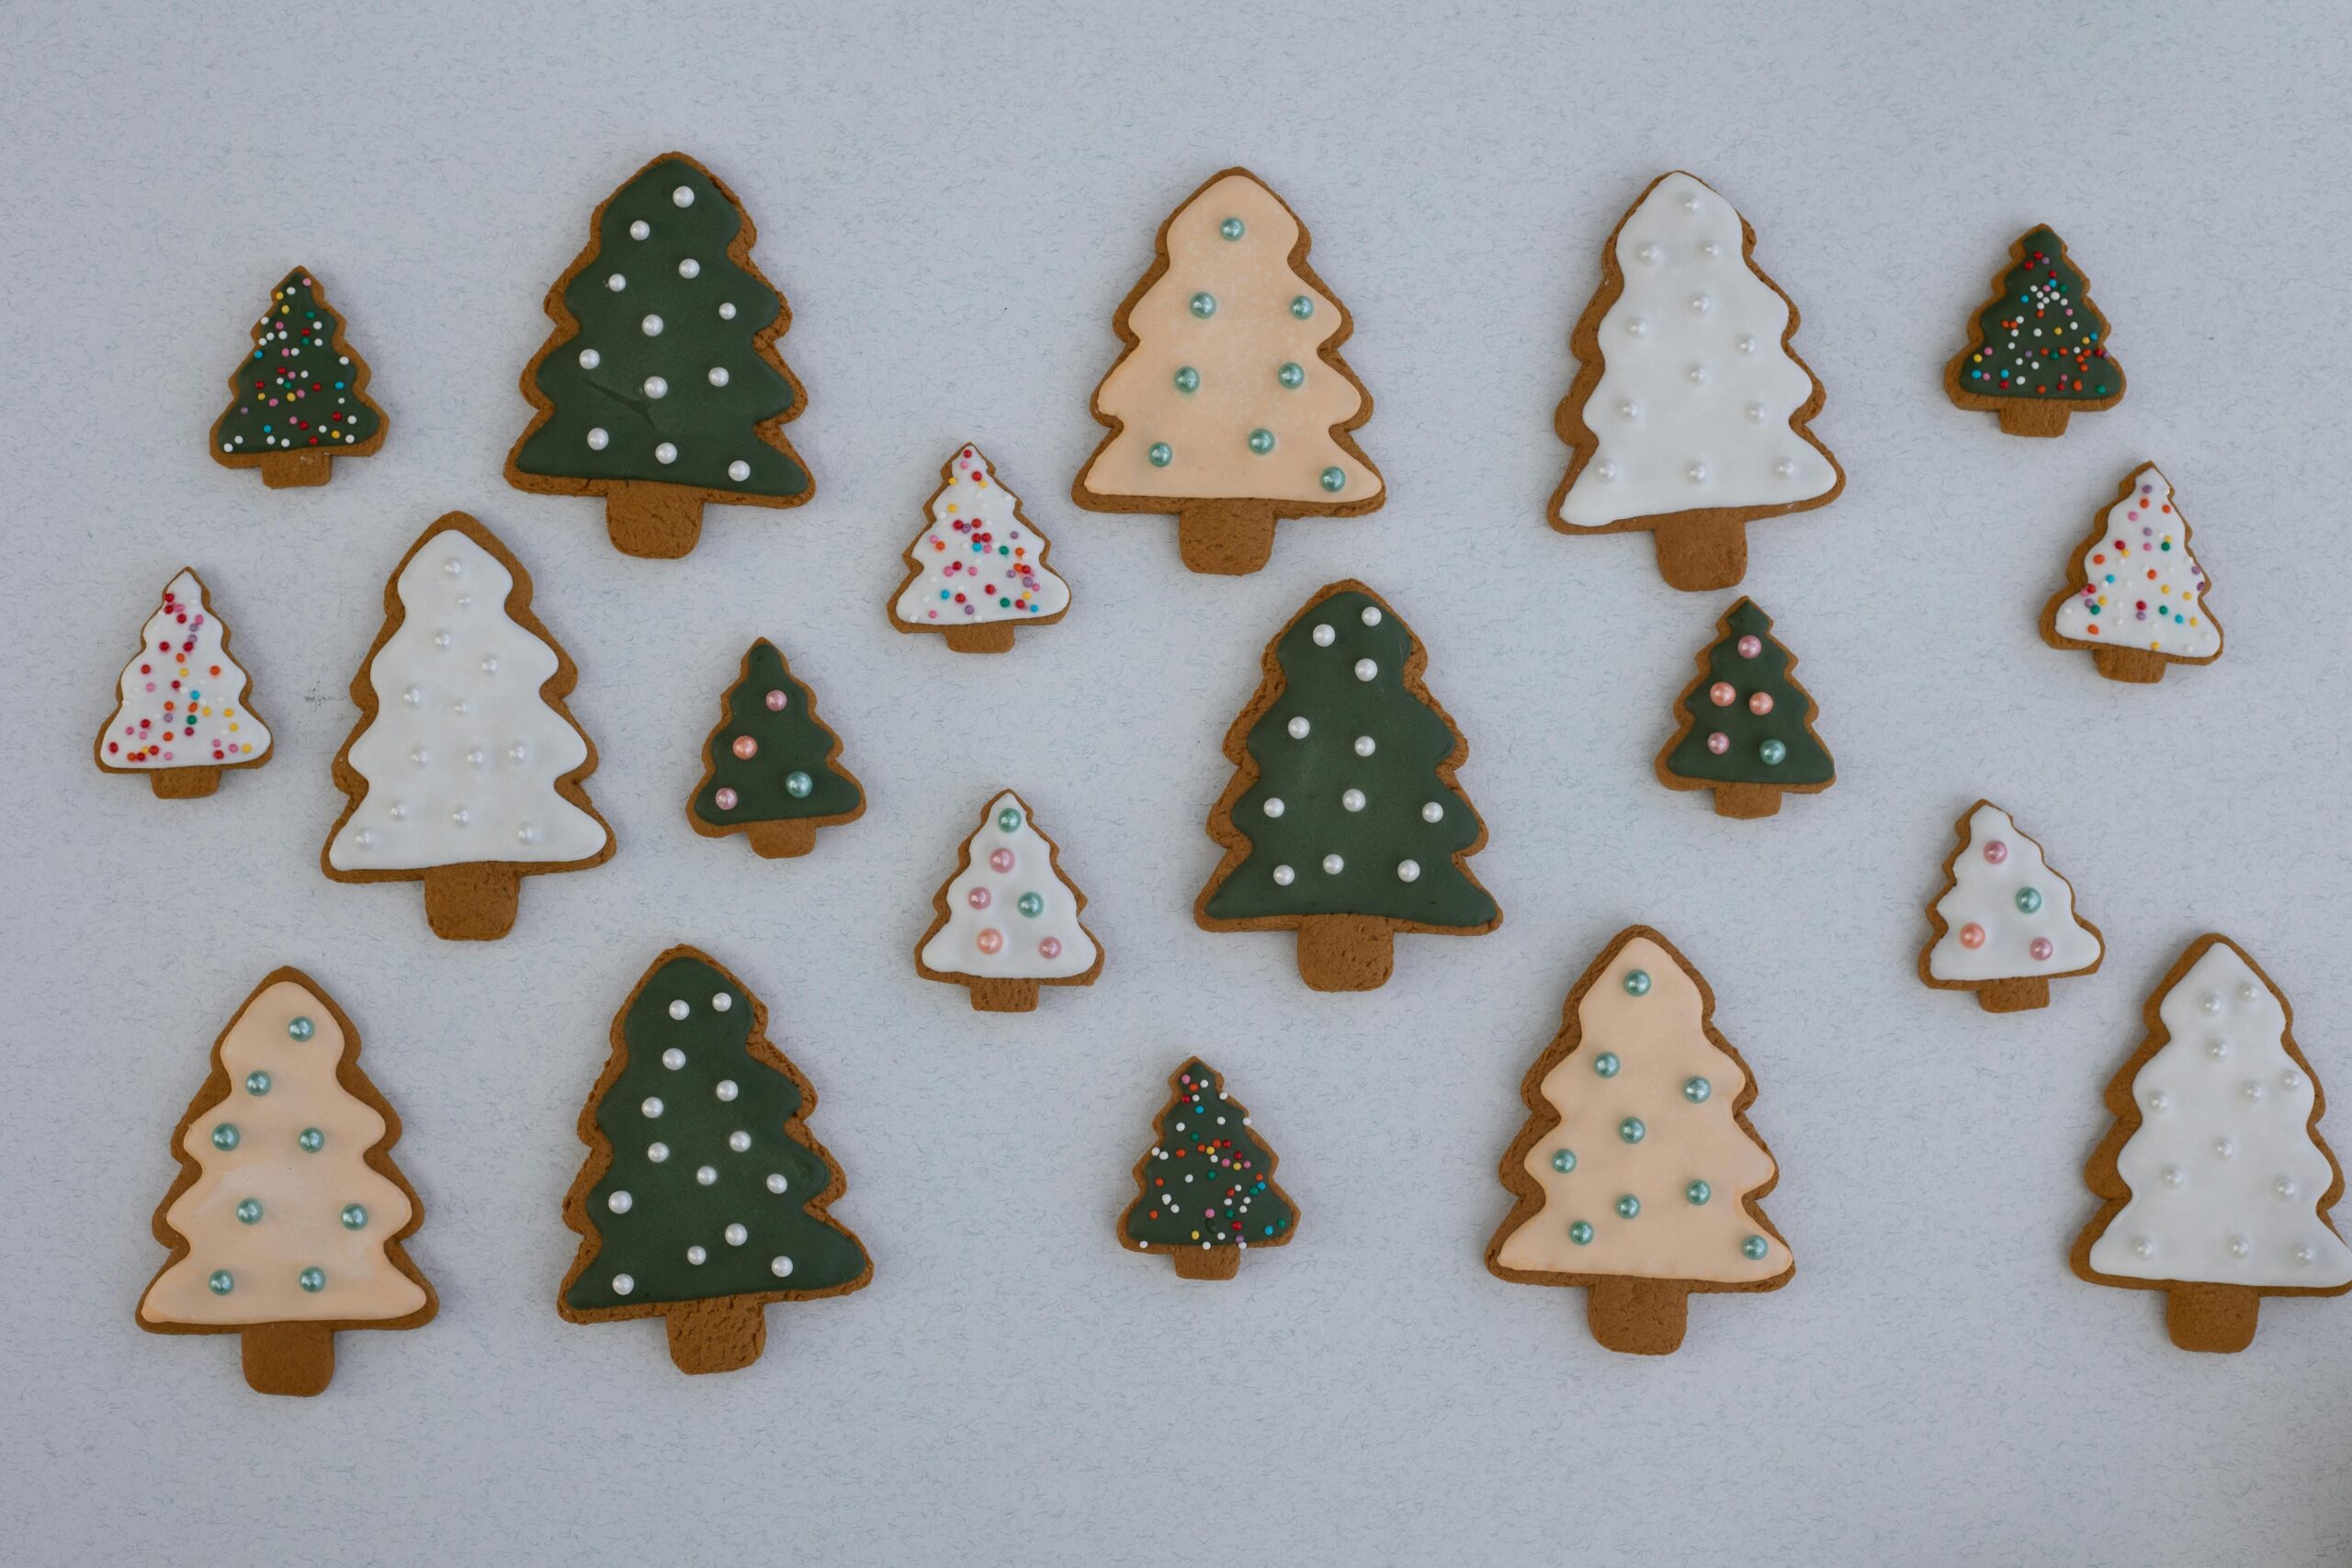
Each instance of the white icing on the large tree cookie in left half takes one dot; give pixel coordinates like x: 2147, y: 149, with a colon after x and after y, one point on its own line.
x: 425, y: 803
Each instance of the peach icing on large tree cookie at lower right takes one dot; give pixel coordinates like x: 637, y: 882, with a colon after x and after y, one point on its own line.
x: 1662, y: 1047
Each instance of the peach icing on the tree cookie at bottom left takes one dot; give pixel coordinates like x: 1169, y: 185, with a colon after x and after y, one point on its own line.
x: 302, y: 1195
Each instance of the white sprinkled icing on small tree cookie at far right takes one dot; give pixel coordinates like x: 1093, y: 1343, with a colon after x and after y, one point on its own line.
x: 2141, y: 582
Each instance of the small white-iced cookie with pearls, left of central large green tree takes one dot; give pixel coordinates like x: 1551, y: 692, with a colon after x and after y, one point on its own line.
x: 1008, y: 918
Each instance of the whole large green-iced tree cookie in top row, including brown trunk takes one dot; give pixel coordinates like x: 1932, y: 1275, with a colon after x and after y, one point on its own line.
x: 662, y: 387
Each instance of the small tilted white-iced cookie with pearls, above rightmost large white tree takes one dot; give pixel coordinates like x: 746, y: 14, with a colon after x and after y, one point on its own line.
x: 2005, y: 923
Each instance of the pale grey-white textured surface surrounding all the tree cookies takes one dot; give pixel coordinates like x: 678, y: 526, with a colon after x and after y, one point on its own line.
x: 956, y: 203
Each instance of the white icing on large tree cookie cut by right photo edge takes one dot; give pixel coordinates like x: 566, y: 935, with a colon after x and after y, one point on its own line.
x: 2224, y: 1172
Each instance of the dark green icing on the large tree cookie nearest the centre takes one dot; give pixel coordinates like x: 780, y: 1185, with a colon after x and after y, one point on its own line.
x: 1314, y: 777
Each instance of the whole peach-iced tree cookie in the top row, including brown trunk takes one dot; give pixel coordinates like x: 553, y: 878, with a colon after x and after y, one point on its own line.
x: 1231, y: 406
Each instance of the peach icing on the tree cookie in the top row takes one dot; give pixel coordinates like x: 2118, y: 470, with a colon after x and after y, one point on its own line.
x: 1238, y: 356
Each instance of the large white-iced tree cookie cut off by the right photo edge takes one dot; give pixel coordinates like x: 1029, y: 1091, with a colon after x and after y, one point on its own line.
x: 2214, y: 1179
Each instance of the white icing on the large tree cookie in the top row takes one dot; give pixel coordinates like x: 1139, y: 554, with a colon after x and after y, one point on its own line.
x: 1699, y: 396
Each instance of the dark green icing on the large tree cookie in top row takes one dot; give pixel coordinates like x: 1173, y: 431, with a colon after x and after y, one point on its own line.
x: 711, y: 427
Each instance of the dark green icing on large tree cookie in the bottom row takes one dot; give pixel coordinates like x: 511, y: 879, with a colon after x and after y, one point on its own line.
x: 669, y: 1209
